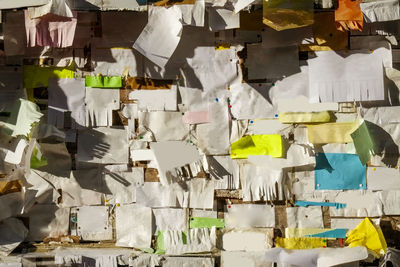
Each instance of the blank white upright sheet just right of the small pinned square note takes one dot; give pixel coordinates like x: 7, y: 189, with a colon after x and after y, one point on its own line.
x: 133, y: 226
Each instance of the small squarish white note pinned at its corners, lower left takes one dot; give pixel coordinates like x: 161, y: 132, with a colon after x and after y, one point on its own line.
x: 93, y: 223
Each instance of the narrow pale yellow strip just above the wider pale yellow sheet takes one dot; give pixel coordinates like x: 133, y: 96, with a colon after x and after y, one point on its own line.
x: 304, y: 117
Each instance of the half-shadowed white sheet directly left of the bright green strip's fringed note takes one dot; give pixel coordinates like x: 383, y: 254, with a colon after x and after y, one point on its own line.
x: 67, y: 103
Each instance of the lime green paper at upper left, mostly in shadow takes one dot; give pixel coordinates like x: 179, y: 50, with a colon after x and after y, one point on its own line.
x: 36, y: 76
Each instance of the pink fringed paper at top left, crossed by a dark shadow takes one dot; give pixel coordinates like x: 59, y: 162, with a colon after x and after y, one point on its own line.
x: 50, y: 30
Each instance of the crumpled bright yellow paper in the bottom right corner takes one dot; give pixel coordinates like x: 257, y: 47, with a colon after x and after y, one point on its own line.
x: 368, y: 235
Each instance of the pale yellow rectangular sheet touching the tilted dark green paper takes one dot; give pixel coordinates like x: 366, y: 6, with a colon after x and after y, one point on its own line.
x: 331, y: 132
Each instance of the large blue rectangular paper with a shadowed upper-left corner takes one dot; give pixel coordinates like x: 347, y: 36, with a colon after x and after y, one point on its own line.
x: 336, y: 171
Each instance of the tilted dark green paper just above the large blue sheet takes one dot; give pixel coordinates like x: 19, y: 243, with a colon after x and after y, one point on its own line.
x: 363, y: 143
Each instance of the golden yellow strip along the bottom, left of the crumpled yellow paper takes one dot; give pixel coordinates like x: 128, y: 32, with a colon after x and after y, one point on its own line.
x: 300, y: 243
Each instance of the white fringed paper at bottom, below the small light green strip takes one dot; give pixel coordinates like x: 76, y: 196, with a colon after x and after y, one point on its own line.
x: 197, y: 240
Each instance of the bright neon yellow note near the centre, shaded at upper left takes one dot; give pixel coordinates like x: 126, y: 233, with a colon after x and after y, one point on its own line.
x: 267, y: 144
